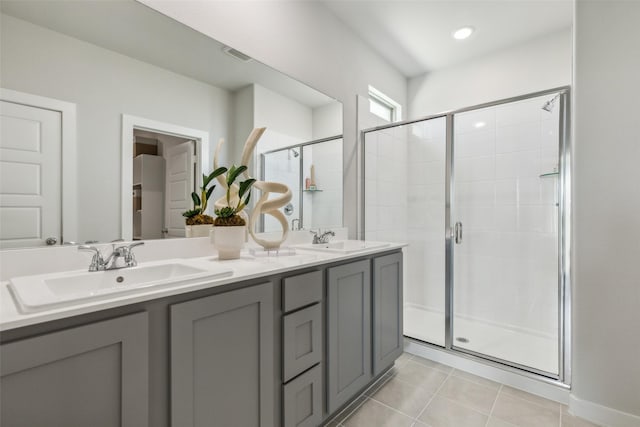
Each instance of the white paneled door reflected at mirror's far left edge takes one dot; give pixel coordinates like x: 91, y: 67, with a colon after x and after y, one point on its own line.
x: 30, y: 175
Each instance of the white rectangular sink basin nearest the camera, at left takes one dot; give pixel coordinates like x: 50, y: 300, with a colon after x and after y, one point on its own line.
x: 46, y: 291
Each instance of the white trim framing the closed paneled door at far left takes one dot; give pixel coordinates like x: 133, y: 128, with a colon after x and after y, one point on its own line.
x: 69, y: 154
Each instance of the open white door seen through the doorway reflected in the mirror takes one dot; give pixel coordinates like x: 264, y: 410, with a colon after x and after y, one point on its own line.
x: 179, y: 185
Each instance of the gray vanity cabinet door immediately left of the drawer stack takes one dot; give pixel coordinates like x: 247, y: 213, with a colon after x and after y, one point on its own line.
x: 222, y: 359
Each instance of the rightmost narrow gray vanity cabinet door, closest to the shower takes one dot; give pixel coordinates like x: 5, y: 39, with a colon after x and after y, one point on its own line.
x: 387, y: 311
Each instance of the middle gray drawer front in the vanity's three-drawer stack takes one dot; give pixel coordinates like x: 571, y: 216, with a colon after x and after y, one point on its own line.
x: 302, y: 341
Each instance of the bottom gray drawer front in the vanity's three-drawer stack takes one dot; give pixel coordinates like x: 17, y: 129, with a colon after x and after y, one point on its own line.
x: 302, y: 399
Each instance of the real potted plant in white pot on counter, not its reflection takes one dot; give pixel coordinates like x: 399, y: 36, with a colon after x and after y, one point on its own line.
x: 229, y: 227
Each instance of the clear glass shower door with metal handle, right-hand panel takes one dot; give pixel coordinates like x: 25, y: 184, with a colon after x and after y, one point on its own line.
x: 505, y: 233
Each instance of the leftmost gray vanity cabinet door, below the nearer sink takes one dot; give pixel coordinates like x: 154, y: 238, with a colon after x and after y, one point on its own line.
x: 93, y: 375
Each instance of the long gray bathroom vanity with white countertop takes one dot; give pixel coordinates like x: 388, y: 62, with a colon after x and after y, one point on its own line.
x: 285, y: 341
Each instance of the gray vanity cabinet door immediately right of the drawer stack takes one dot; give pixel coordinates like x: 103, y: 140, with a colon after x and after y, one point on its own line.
x: 349, y: 331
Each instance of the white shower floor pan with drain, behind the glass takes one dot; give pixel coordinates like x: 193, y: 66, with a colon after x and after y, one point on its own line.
x: 528, y: 349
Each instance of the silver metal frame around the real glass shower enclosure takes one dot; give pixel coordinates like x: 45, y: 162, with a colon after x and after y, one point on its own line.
x: 563, y: 378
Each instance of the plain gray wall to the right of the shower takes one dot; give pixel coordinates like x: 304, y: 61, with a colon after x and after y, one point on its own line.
x: 606, y: 298
